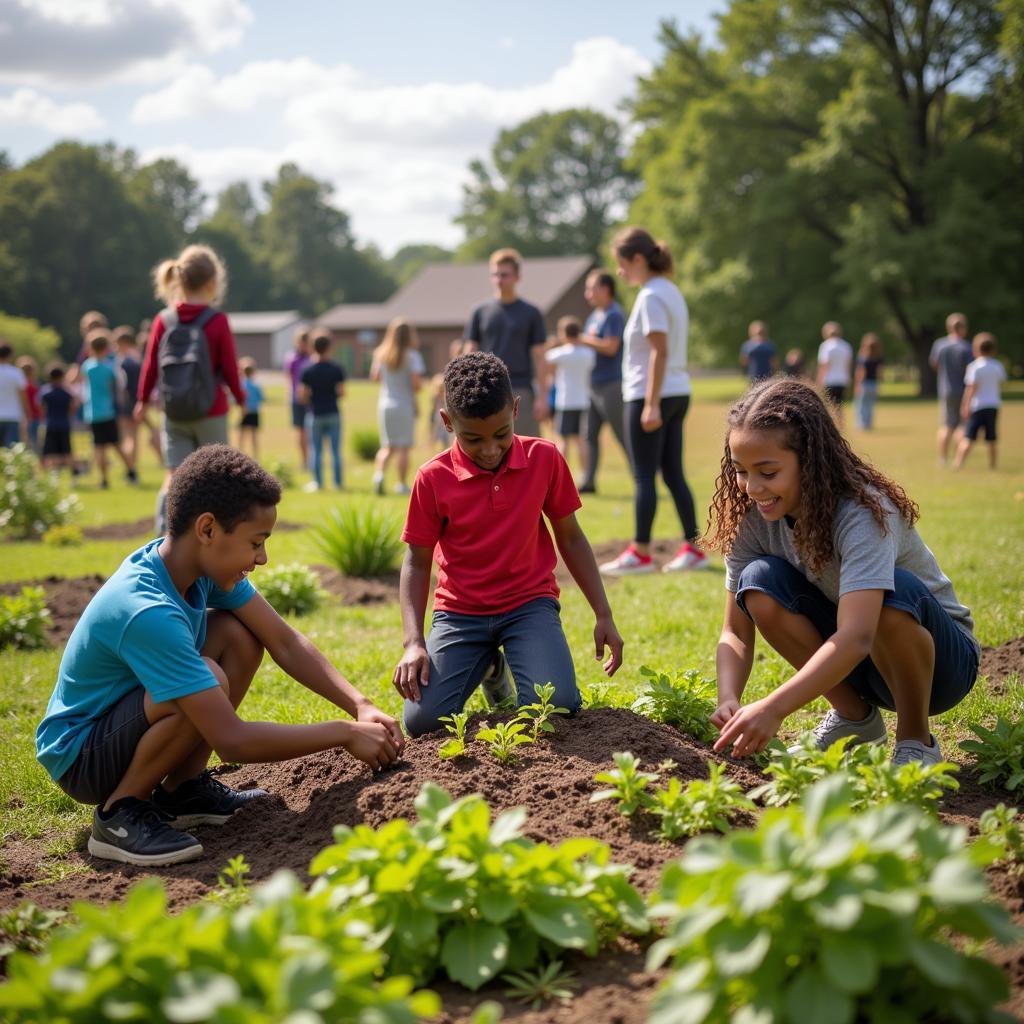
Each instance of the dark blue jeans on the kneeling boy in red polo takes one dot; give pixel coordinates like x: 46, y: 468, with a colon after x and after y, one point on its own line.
x: 463, y: 648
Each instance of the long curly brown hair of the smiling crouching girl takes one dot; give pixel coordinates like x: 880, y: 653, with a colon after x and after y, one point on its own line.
x: 830, y: 471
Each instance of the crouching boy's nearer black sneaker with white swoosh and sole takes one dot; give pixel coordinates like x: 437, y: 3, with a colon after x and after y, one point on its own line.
x: 134, y: 832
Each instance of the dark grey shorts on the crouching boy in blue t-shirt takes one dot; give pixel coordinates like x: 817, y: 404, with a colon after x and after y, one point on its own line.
x: 108, y: 751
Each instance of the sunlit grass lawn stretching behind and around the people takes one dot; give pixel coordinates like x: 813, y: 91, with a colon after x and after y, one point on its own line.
x: 973, y: 521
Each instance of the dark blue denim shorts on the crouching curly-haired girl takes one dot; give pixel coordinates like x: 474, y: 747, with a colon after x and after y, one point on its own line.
x: 956, y: 656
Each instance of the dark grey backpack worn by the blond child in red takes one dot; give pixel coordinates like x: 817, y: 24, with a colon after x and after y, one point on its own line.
x: 187, y: 382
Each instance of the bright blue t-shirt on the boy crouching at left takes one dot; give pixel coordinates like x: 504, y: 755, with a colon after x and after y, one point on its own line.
x: 137, y: 631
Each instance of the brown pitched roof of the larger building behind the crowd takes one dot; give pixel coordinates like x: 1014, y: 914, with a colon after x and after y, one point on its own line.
x: 444, y: 294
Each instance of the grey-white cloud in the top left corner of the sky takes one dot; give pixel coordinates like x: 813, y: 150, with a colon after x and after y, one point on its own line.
x: 70, y: 42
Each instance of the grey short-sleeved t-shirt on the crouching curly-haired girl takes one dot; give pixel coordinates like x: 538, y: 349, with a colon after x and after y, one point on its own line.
x: 865, y: 558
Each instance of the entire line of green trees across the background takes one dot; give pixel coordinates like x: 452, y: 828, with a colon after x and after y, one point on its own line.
x: 859, y: 160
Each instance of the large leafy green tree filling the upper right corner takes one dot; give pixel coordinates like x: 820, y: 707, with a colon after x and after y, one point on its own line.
x: 831, y: 159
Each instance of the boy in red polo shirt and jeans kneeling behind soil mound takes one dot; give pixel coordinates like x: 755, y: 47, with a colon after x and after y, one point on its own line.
x: 479, y: 507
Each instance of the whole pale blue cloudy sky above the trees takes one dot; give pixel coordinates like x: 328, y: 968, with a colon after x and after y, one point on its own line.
x: 390, y: 102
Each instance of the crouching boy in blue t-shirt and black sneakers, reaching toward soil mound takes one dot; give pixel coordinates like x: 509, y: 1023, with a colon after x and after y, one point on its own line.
x: 163, y: 656
